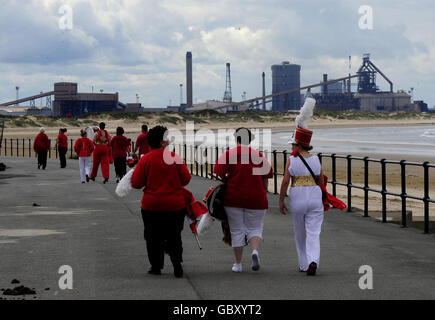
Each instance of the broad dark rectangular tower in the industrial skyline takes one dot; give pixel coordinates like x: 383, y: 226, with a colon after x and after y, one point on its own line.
x: 286, y: 76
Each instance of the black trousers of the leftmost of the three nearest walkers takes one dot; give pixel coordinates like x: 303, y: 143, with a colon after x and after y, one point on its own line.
x: 162, y: 233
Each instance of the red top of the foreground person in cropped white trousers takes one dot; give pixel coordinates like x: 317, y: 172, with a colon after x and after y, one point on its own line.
x: 245, y: 187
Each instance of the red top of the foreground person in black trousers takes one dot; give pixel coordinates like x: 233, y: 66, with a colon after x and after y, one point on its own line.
x: 163, y: 182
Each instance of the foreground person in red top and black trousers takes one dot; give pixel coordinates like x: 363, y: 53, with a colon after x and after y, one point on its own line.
x: 163, y: 201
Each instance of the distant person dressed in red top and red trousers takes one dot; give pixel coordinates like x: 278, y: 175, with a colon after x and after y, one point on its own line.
x: 101, y: 153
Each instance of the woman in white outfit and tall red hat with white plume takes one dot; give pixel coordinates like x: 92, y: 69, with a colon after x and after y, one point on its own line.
x: 305, y: 196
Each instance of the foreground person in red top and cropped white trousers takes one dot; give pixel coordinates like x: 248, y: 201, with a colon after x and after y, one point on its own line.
x: 246, y: 173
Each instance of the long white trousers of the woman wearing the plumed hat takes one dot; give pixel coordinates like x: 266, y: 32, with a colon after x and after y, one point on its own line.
x: 306, y: 208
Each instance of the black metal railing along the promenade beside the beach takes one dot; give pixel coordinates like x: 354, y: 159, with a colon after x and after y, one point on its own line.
x: 200, y: 160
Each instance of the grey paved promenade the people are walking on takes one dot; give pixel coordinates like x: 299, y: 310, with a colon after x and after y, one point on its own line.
x: 100, y: 236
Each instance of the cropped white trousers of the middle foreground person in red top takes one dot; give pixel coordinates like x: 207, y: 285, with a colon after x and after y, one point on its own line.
x: 244, y: 223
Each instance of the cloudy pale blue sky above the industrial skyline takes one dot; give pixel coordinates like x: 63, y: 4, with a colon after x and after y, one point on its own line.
x: 138, y: 47
